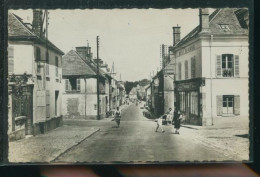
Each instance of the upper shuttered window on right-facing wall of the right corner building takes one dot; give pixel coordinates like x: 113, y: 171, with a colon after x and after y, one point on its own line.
x: 227, y: 65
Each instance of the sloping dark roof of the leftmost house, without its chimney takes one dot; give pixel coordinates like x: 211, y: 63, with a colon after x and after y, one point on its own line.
x: 18, y: 30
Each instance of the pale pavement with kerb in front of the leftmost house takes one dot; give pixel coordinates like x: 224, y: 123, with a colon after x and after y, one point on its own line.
x: 47, y: 147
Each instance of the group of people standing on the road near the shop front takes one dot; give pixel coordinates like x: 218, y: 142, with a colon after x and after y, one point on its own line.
x: 171, y: 117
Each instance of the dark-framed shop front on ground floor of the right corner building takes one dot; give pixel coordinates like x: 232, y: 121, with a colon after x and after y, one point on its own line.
x: 189, y: 101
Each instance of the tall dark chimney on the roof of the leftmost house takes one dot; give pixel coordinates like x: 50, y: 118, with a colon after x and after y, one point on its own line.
x: 37, y: 22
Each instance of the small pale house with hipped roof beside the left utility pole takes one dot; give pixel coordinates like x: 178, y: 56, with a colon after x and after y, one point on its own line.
x: 80, y: 86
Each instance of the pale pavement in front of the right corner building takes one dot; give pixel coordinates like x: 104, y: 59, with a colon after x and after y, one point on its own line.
x: 228, y: 135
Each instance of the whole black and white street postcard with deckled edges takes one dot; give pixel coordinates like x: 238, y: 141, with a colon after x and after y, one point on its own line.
x: 141, y: 86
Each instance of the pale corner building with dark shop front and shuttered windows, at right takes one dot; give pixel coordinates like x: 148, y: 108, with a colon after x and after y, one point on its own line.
x: 211, y: 64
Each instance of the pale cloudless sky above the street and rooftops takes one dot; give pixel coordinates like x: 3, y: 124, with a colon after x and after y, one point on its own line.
x: 130, y: 38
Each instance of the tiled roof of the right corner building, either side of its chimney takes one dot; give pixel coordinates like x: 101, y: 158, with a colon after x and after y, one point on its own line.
x: 219, y: 16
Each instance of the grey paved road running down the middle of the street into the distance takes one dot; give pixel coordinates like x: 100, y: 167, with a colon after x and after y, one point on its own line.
x: 136, y: 141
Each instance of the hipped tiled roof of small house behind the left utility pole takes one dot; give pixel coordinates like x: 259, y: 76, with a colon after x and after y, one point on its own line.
x: 74, y: 65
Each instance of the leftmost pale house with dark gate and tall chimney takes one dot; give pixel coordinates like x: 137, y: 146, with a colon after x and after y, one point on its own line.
x: 35, y: 73
